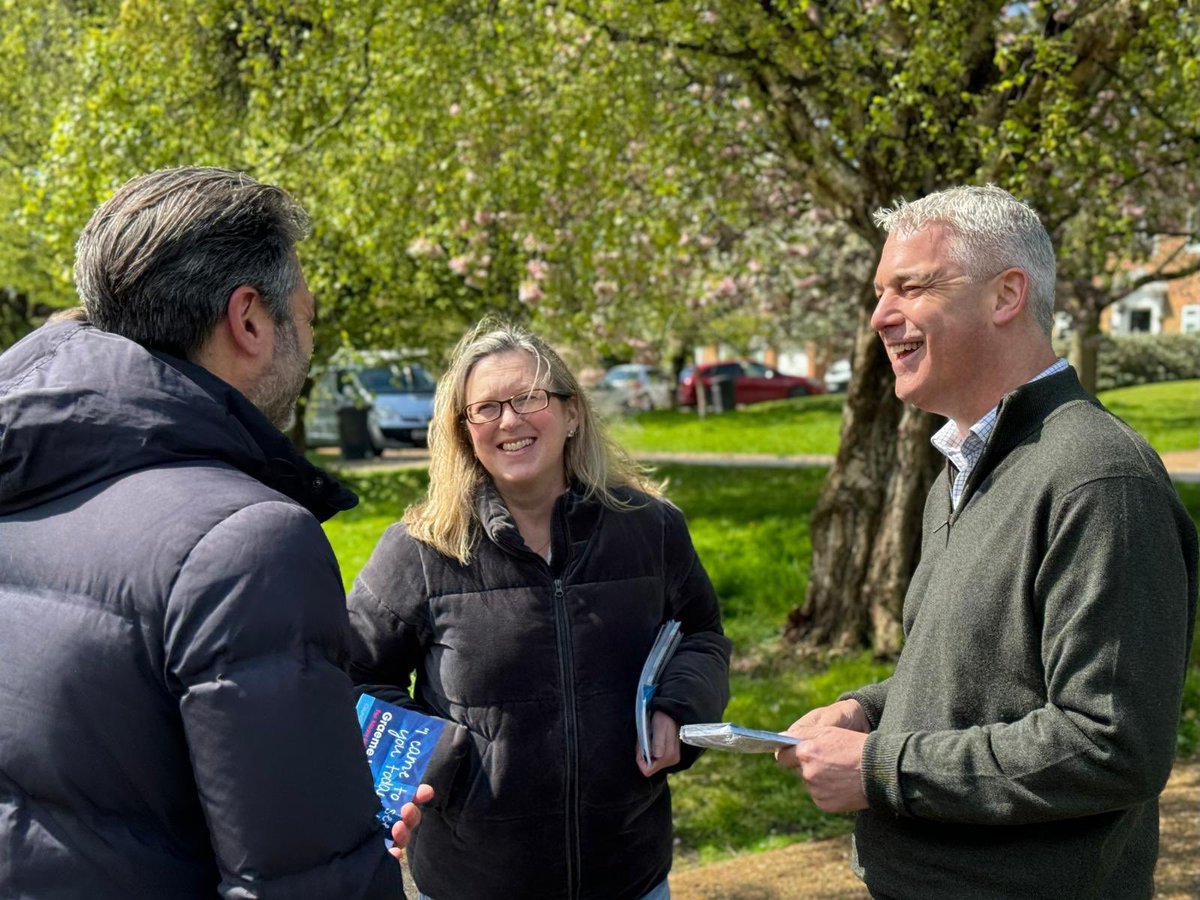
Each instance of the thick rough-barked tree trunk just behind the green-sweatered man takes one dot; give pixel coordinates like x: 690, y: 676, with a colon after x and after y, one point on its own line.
x: 867, y: 526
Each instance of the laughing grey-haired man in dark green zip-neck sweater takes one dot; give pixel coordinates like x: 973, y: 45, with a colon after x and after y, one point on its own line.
x: 1021, y: 747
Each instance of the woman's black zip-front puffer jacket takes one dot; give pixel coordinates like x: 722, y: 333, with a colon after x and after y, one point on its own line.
x: 541, y: 664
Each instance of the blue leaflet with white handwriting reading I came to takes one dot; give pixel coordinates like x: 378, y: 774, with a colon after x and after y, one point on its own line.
x: 400, y: 743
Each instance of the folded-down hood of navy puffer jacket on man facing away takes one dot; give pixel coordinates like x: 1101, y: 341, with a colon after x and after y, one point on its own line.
x: 80, y: 406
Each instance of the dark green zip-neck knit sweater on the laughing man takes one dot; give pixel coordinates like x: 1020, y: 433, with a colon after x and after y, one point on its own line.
x: 1021, y: 747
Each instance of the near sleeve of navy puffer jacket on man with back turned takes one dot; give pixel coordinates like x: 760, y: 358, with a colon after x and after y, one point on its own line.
x: 255, y: 635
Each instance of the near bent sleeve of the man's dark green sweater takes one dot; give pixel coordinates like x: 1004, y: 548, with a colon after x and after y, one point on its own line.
x: 1115, y: 603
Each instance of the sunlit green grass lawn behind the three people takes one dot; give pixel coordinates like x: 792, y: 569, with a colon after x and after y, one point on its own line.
x: 752, y: 530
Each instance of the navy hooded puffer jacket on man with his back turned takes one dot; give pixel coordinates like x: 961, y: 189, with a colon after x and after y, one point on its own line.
x: 173, y: 718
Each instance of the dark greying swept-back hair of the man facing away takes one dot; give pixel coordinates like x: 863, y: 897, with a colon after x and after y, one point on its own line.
x: 159, y: 260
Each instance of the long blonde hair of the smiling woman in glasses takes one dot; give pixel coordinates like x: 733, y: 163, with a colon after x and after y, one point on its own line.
x: 447, y: 519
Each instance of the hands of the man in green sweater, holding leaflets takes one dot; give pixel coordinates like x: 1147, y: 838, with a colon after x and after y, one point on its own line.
x: 830, y: 757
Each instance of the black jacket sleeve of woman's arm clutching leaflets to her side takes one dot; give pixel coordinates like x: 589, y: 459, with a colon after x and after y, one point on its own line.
x: 695, y: 685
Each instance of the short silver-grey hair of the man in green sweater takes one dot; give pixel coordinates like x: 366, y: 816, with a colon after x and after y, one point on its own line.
x: 991, y: 231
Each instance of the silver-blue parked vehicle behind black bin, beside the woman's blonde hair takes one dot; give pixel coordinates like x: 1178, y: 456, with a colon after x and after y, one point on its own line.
x: 395, y: 391
